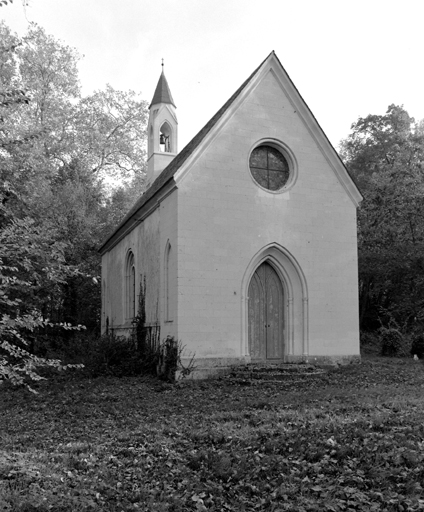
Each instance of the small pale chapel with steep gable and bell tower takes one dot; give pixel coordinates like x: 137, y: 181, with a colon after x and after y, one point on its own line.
x: 244, y: 243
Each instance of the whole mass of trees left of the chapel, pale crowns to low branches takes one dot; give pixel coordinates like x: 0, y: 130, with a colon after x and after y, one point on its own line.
x: 57, y: 153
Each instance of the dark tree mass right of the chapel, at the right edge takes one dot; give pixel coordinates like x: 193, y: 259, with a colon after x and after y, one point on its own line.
x: 385, y: 154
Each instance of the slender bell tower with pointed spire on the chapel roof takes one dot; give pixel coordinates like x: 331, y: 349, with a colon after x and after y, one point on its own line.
x: 162, y: 130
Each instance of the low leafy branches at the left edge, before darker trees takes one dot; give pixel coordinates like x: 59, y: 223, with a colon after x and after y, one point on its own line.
x: 31, y: 269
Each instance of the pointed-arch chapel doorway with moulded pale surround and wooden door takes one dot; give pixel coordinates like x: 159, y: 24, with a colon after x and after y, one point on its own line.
x: 275, y: 259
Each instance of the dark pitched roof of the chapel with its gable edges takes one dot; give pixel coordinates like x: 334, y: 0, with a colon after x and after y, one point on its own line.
x: 168, y: 173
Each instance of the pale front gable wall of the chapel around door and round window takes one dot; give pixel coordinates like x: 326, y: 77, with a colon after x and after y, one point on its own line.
x: 225, y: 219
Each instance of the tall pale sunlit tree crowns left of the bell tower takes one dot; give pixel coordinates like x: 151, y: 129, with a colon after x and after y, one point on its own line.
x: 105, y: 132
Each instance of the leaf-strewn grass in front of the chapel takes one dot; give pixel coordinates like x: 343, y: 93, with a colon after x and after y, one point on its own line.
x: 350, y: 439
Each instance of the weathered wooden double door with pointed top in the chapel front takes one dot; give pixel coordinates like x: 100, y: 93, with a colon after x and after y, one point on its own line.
x: 266, y: 314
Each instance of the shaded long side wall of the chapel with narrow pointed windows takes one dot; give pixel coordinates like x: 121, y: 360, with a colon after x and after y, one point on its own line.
x: 154, y: 245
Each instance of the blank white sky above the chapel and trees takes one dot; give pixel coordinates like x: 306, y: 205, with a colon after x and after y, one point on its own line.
x: 347, y: 58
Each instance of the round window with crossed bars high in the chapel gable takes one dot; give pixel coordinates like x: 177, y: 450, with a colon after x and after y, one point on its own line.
x: 269, y: 167
